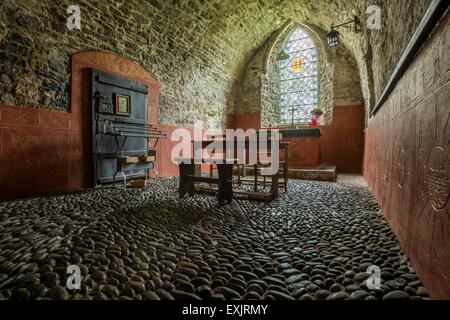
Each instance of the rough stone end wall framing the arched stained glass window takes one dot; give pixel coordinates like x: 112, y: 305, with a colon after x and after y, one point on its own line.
x: 339, y: 83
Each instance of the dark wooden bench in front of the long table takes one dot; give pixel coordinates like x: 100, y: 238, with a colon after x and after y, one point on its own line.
x: 190, y: 173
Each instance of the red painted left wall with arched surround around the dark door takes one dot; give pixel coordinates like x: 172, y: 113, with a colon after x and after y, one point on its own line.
x: 45, y: 151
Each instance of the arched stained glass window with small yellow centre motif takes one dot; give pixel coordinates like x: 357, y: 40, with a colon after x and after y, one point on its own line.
x: 299, y: 79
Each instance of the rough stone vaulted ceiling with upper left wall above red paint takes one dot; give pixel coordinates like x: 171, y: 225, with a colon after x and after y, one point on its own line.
x: 195, y: 49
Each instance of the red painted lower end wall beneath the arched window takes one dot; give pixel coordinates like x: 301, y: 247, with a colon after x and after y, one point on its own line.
x: 342, y: 143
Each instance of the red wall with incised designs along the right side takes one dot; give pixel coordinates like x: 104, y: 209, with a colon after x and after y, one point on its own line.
x: 407, y: 162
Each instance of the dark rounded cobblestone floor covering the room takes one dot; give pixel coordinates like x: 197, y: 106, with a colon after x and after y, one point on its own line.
x: 315, y: 242
